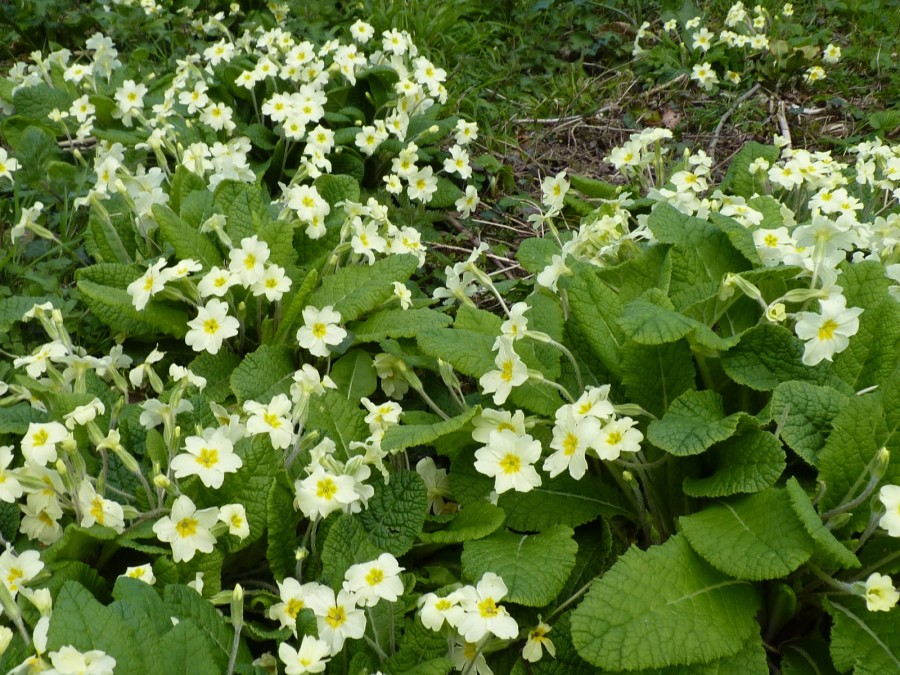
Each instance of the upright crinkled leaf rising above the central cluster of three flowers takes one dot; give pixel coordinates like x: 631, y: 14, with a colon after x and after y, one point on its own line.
x: 594, y: 312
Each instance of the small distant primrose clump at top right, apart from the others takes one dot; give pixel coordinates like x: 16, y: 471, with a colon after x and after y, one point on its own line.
x: 749, y: 45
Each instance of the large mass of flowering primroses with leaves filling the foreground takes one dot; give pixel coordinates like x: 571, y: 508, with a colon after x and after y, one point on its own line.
x: 678, y: 451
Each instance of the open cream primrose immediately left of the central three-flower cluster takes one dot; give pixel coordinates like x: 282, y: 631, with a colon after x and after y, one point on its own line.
x: 509, y: 459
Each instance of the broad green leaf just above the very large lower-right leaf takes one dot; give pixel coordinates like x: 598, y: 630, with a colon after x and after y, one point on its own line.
x: 755, y: 537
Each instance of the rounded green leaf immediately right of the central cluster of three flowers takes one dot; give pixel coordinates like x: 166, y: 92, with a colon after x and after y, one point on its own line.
x: 693, y: 423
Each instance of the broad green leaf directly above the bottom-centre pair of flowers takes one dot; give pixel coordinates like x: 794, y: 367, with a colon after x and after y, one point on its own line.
x: 534, y: 567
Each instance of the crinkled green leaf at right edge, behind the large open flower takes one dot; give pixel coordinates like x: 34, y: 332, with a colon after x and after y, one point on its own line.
x: 872, y: 354
